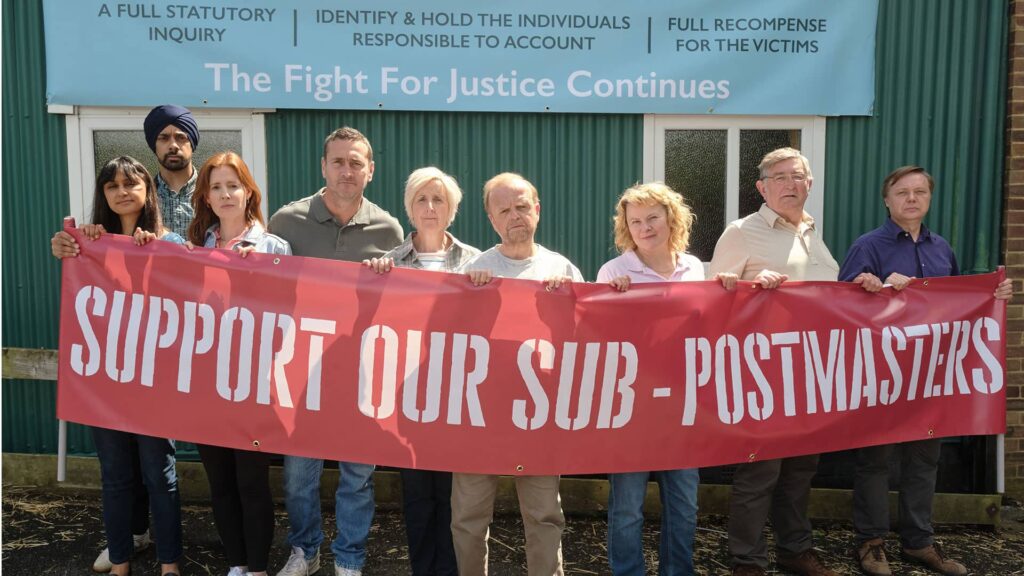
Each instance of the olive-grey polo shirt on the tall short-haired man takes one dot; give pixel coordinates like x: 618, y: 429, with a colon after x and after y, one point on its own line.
x: 313, y: 231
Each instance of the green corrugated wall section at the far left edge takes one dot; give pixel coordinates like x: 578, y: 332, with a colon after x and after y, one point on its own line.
x: 35, y: 198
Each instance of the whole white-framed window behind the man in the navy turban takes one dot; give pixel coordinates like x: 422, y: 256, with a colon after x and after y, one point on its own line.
x: 97, y: 135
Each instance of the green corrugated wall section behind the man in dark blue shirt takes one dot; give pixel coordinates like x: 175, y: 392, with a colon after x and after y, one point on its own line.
x: 941, y: 103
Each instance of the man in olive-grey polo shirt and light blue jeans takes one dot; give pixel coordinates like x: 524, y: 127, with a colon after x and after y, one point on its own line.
x: 337, y: 223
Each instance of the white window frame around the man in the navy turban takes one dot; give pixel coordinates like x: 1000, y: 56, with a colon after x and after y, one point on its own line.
x: 82, y: 122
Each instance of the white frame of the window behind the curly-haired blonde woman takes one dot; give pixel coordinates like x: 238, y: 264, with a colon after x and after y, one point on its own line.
x: 813, y: 144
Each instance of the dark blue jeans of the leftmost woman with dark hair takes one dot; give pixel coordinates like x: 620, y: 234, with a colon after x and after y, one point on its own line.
x: 156, y: 456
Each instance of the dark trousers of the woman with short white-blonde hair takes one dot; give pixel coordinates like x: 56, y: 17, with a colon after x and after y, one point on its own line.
x: 428, y: 504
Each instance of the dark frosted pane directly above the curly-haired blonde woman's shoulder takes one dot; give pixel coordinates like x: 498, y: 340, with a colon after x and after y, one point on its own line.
x: 695, y: 167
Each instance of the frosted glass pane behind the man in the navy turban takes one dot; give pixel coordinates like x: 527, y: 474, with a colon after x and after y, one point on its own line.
x: 111, y: 144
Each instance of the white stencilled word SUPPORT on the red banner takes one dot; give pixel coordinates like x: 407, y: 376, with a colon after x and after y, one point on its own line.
x: 184, y: 320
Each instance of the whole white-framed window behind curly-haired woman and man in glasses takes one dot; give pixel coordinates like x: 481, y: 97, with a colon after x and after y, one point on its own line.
x: 712, y: 161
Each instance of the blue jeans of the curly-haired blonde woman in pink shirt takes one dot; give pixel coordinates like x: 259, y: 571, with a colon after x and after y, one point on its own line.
x: 679, y: 521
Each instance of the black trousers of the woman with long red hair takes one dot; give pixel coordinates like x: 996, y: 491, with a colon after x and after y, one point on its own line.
x: 243, y: 508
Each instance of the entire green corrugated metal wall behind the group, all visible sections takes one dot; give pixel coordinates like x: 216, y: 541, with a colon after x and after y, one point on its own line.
x: 941, y: 103
